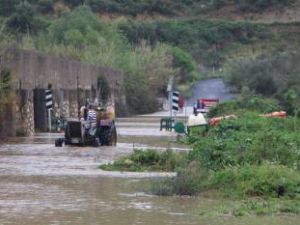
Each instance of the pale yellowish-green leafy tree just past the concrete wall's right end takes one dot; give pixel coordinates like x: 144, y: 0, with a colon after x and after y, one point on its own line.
x: 147, y: 70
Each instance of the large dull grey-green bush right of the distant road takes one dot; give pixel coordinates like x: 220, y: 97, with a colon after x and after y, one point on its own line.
x: 264, y: 75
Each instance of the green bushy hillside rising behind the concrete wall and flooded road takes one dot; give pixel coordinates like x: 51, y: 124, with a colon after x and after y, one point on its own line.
x: 151, y: 40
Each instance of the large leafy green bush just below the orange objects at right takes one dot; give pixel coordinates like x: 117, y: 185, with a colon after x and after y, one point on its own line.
x: 249, y: 140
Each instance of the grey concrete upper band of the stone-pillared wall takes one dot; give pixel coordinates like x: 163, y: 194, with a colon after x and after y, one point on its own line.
x: 36, y: 70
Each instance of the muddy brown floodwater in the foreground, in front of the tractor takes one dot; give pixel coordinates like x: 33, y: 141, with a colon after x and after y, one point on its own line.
x: 41, y: 184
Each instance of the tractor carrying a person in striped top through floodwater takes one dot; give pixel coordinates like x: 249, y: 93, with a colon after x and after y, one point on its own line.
x: 91, y: 132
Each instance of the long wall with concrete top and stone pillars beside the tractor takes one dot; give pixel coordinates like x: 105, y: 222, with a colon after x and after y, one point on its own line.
x: 72, y: 83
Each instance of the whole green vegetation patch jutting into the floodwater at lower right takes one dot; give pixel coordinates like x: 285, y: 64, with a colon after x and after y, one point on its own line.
x: 252, y: 160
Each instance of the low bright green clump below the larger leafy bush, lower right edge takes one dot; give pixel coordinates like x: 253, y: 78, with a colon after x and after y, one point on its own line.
x: 265, y: 180
